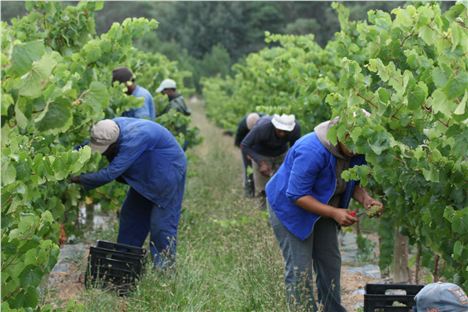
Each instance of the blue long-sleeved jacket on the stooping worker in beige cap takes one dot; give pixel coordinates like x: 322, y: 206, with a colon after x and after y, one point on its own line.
x: 149, y: 159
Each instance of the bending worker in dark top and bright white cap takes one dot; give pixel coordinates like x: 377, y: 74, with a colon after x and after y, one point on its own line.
x: 266, y: 144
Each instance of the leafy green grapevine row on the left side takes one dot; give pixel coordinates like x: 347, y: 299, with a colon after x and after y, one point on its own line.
x: 56, y: 82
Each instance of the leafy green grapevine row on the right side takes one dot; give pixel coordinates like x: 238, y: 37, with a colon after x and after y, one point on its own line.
x: 409, y: 69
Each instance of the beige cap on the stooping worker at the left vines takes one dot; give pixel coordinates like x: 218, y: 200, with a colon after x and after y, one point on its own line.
x: 103, y: 134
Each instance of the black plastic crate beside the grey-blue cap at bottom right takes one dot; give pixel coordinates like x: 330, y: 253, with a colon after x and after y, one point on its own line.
x: 390, y: 297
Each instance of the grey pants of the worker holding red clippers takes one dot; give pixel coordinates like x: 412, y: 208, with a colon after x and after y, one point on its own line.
x: 320, y: 251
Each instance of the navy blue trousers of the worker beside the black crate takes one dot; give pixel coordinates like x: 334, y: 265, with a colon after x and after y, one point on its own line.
x: 139, y: 216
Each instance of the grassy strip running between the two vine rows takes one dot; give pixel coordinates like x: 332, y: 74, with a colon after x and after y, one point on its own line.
x: 227, y: 257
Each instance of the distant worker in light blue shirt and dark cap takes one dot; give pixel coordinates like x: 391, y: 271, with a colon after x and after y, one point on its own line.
x: 125, y: 76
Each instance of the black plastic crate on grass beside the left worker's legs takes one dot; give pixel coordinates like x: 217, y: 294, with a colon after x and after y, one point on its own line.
x: 114, y: 266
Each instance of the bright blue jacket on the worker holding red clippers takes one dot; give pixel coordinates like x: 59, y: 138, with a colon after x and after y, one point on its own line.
x: 309, y: 169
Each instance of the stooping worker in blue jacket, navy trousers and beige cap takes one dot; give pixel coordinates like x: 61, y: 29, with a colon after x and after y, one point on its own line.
x: 147, y: 157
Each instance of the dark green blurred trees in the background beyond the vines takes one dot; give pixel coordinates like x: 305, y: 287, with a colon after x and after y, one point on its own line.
x: 198, y: 35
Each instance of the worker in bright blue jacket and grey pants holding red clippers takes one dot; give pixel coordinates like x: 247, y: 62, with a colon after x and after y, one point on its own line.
x: 305, y: 199
